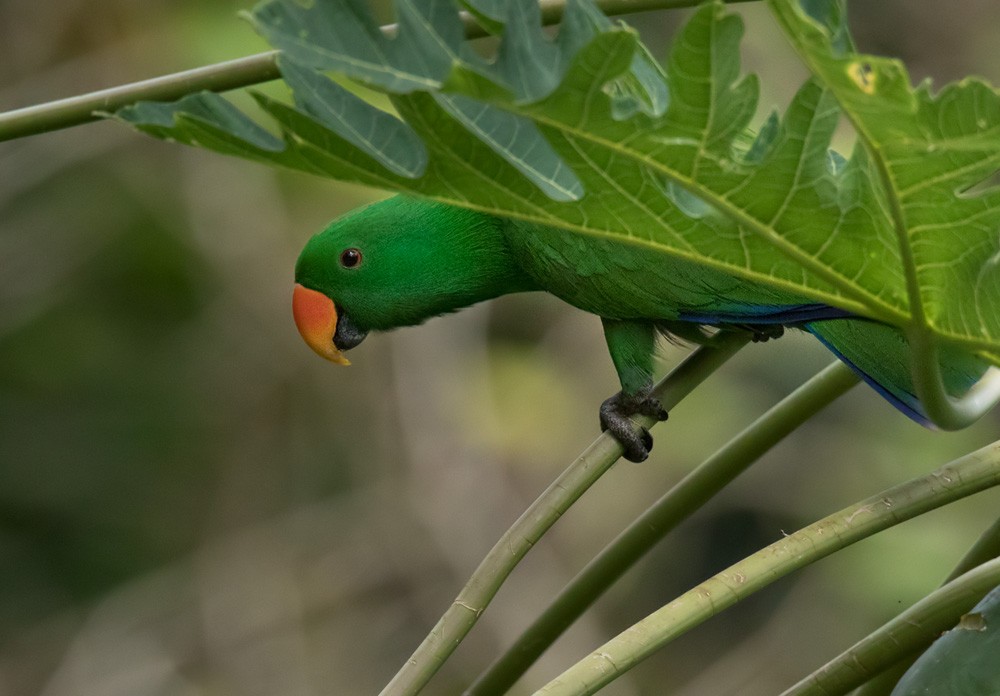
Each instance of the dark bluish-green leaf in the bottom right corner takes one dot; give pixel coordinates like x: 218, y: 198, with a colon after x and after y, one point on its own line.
x: 963, y: 660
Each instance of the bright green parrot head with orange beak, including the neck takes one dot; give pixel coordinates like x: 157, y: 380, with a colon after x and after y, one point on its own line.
x: 396, y: 263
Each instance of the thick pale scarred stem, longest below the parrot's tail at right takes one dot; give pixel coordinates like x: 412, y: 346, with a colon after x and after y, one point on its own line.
x: 963, y: 477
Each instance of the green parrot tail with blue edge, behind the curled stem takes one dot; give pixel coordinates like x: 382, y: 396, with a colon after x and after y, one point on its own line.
x: 881, y: 357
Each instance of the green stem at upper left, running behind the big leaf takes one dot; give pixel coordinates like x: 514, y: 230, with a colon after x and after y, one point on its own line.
x: 233, y: 74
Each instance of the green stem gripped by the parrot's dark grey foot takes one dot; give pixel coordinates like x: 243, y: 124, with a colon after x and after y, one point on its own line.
x: 462, y: 615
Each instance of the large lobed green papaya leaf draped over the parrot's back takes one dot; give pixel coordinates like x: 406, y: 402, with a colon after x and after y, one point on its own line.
x: 586, y: 132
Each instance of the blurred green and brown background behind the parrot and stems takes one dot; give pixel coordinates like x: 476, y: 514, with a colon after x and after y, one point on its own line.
x: 193, y: 503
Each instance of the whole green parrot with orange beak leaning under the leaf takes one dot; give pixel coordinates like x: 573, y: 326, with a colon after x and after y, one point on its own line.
x: 402, y: 261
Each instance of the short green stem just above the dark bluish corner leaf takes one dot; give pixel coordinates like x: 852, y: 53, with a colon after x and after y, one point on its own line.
x: 910, y: 631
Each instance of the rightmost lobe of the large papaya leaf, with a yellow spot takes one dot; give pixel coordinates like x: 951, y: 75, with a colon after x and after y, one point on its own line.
x: 933, y: 151
